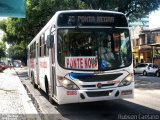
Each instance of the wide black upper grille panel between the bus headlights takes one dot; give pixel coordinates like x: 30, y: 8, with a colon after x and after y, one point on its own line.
x: 97, y: 78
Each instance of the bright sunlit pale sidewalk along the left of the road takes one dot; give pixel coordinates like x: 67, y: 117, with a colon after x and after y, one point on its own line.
x: 14, y: 101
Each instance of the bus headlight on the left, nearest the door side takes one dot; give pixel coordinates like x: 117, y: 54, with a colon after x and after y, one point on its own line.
x: 68, y: 84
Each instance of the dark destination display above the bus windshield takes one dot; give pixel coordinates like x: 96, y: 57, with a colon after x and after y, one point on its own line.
x: 92, y: 19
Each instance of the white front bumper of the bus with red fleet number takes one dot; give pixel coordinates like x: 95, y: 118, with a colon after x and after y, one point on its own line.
x: 72, y: 96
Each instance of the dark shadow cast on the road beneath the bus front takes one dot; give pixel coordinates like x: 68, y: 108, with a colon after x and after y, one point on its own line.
x: 105, y: 110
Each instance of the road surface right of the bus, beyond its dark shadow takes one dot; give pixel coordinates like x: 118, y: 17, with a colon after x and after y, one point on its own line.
x: 147, y: 91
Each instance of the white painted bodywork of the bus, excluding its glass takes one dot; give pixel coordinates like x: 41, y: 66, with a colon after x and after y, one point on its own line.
x: 50, y: 70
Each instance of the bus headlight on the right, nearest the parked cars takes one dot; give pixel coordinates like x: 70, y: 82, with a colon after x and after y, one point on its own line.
x: 127, y: 81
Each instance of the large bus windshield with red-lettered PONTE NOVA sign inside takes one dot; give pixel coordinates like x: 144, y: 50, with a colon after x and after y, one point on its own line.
x: 94, y: 48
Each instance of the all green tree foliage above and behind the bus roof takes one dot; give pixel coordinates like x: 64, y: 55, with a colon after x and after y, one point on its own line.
x: 19, y: 31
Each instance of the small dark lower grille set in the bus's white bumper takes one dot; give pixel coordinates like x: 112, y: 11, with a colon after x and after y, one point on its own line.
x: 99, y: 93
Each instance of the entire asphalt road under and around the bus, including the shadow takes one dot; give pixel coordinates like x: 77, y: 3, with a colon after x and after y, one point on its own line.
x: 144, y: 106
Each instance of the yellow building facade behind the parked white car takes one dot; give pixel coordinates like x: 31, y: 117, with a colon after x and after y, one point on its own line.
x: 146, y: 45
